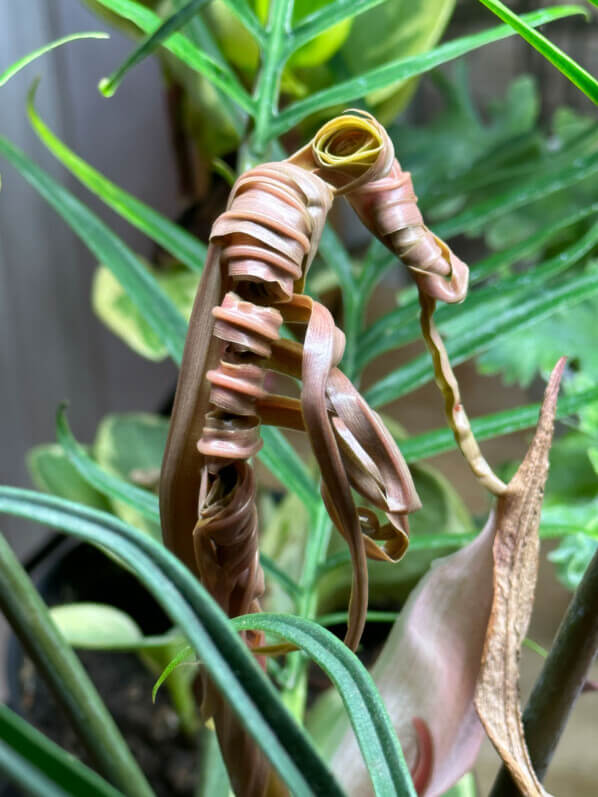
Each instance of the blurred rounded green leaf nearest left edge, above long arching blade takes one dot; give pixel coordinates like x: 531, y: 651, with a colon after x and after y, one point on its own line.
x: 52, y: 472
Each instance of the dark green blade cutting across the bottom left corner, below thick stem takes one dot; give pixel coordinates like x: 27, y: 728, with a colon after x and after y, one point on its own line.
x: 60, y: 767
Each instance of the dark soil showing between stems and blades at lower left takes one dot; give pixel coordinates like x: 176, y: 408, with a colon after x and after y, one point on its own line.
x: 166, y: 756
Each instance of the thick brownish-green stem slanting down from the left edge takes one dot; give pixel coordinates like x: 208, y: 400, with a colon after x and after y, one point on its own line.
x: 66, y: 676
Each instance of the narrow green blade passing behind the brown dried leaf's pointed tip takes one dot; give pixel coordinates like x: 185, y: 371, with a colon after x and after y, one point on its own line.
x: 497, y: 424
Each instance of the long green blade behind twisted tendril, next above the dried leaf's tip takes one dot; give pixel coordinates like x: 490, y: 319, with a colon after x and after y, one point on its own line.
x: 529, y: 311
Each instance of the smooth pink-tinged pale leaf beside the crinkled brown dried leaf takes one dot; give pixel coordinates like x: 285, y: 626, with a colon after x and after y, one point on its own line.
x: 428, y: 670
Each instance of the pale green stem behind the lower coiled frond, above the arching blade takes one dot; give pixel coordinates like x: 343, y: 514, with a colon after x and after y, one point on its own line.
x: 295, y: 695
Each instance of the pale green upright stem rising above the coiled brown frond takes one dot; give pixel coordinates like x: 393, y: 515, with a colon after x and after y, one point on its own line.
x: 266, y: 89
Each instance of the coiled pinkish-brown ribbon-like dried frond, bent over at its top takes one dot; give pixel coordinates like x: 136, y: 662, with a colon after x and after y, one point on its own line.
x: 260, y: 250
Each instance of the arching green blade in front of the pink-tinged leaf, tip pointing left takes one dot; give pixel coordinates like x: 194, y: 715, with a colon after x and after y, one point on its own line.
x: 376, y: 736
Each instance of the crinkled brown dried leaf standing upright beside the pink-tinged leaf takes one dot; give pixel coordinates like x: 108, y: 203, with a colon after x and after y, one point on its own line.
x: 515, y: 553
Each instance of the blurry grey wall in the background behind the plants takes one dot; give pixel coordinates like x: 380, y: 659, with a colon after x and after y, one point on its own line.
x: 51, y: 345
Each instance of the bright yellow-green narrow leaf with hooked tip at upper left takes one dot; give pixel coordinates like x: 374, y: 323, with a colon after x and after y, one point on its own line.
x: 183, y: 246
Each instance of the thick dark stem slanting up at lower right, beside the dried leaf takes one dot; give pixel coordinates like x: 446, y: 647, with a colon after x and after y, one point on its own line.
x: 561, y: 680
